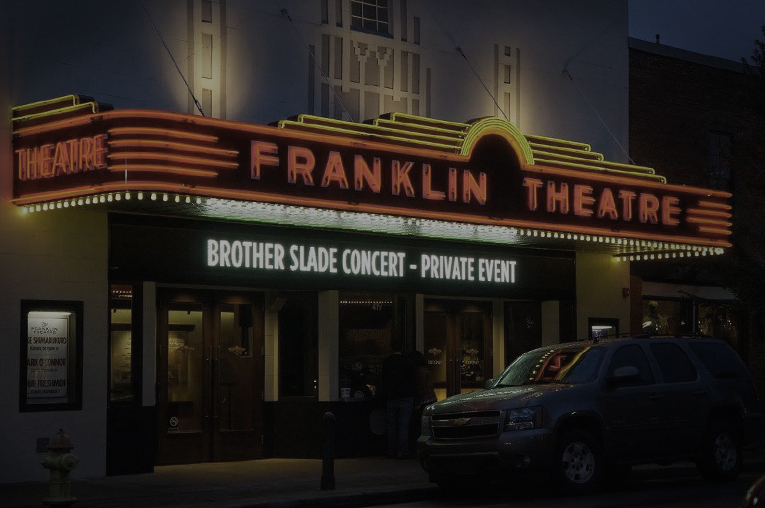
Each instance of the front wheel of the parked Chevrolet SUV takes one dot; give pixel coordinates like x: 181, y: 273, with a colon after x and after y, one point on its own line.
x: 579, y: 462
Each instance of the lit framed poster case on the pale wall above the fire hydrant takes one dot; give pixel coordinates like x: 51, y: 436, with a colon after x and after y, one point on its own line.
x: 51, y: 356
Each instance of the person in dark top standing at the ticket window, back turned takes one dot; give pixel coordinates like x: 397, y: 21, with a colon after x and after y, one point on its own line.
x: 398, y: 389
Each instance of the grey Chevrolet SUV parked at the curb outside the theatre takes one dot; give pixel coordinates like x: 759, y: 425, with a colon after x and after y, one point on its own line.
x: 580, y: 409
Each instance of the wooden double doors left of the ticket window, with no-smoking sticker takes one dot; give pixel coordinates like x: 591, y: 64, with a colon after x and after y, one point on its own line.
x: 209, y: 376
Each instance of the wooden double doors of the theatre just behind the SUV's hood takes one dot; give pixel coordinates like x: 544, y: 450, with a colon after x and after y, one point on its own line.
x: 457, y: 344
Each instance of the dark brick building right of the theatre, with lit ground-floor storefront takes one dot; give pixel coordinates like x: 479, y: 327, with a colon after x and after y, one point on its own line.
x: 692, y: 118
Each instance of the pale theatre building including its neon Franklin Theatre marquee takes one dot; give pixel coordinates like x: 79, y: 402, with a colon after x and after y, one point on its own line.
x: 183, y: 282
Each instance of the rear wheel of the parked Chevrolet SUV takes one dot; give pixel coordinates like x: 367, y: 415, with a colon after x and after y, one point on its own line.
x: 721, y: 452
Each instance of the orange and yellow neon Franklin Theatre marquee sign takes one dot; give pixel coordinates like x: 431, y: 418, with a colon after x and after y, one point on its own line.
x: 485, y: 172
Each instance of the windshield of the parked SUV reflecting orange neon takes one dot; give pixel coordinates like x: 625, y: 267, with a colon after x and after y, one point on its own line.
x: 569, y: 365
